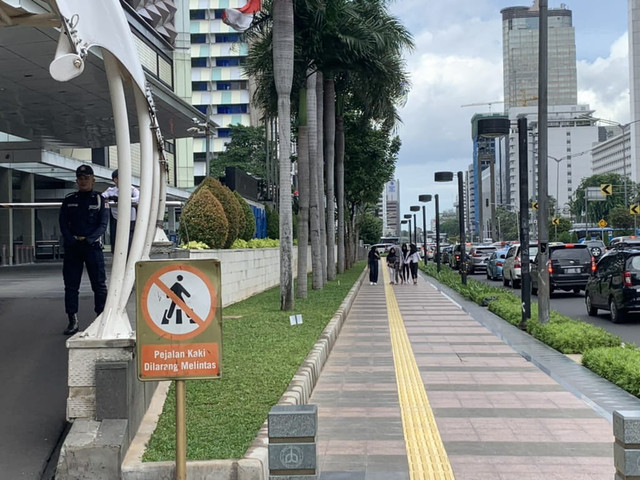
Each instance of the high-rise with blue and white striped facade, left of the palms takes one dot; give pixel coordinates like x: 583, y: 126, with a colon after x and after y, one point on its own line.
x: 220, y: 88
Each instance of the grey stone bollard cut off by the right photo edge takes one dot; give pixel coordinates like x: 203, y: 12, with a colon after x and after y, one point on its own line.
x: 626, y: 448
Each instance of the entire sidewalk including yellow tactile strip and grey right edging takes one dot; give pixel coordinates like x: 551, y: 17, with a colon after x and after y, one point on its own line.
x: 415, y: 383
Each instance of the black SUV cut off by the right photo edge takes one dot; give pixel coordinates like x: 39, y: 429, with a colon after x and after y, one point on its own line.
x: 615, y: 284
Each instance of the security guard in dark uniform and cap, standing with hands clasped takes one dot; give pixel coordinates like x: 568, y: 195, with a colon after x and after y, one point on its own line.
x: 83, y: 220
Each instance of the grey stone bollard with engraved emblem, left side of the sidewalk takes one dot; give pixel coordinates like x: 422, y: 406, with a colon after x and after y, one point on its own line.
x: 292, y: 442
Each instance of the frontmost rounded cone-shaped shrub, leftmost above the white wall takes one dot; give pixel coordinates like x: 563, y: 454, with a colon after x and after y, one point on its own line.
x: 203, y: 220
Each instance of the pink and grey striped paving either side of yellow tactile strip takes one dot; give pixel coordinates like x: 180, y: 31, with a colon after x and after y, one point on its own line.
x: 500, y: 417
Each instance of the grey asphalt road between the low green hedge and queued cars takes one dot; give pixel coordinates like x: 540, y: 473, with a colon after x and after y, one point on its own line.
x: 572, y: 305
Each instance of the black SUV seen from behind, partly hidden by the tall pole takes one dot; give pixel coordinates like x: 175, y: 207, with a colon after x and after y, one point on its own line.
x: 570, y: 266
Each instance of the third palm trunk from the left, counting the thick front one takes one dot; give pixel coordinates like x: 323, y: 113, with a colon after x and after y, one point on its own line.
x: 314, y: 210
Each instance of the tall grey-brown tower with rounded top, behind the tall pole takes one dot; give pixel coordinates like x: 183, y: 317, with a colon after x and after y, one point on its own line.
x: 520, y: 38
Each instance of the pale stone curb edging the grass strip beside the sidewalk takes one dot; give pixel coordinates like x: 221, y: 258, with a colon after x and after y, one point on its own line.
x: 255, y: 463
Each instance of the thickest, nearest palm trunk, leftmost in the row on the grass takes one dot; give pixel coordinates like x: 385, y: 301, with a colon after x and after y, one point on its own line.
x: 283, y: 78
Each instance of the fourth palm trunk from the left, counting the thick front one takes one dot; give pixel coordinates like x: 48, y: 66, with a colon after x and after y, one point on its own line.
x: 329, y: 156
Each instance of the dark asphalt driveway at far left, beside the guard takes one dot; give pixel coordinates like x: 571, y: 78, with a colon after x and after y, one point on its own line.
x: 34, y: 361
